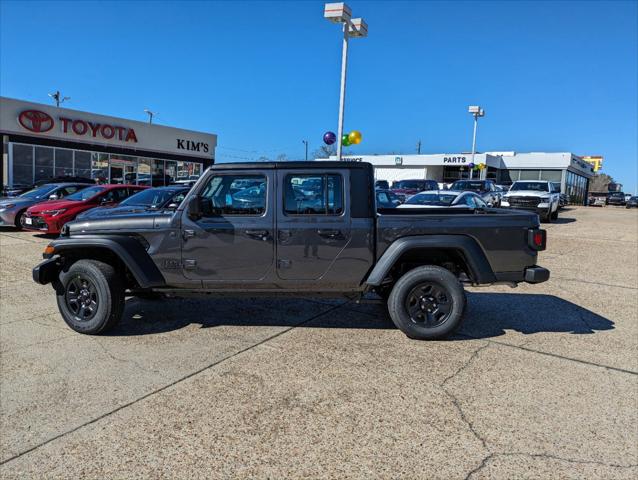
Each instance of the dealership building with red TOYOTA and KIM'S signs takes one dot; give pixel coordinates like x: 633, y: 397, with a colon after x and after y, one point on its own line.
x: 44, y: 141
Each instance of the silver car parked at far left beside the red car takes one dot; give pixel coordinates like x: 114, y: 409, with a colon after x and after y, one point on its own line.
x: 12, y: 208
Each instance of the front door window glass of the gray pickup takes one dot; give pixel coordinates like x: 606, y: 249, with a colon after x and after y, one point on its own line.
x: 235, y: 194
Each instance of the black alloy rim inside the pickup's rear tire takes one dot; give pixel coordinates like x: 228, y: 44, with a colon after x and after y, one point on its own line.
x: 428, y: 304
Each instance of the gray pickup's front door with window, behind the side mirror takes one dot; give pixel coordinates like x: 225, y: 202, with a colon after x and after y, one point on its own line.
x: 234, y: 242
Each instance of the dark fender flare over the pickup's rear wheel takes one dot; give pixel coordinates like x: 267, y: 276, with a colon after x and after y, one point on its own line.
x: 480, y: 268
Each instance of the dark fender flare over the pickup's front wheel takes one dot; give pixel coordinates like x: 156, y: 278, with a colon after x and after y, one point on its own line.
x: 129, y: 250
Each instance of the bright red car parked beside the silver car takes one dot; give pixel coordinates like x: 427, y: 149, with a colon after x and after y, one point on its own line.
x: 50, y: 217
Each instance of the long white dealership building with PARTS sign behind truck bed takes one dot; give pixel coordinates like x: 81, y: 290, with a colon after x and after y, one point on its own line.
x: 565, y: 168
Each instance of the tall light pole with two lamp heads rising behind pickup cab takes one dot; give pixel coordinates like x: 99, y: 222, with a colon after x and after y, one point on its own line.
x: 352, y: 27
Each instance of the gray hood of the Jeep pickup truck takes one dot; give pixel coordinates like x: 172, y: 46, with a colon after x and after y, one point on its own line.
x: 132, y: 222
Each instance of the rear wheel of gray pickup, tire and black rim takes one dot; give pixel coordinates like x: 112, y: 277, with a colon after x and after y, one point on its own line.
x: 427, y: 303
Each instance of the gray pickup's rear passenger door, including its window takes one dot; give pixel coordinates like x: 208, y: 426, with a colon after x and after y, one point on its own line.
x: 313, y: 225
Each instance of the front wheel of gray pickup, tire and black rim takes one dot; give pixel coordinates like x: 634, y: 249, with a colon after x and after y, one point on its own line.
x: 90, y: 297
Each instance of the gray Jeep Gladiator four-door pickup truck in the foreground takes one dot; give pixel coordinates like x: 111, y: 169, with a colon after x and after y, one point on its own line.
x: 291, y: 228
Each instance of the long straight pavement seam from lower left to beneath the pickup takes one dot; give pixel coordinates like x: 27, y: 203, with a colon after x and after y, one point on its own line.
x: 168, y: 385
